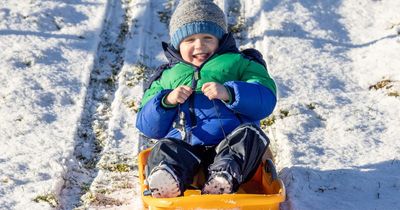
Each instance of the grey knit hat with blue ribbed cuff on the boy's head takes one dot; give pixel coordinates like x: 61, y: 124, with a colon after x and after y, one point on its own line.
x: 196, y: 16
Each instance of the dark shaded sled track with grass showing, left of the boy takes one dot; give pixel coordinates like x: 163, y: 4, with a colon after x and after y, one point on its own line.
x: 92, y: 132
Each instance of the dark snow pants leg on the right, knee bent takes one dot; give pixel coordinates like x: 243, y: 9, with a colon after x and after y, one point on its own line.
x: 240, y: 153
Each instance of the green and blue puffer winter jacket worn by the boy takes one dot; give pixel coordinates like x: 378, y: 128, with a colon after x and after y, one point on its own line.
x: 207, y: 122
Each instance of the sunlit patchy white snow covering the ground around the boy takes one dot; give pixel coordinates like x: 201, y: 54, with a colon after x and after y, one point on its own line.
x: 72, y: 75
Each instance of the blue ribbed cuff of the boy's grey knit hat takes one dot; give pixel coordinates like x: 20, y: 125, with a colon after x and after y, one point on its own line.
x: 199, y: 27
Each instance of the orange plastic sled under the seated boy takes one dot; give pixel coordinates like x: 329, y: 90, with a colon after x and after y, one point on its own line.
x: 264, y: 191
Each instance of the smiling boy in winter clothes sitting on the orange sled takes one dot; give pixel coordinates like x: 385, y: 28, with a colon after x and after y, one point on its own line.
x: 205, y: 107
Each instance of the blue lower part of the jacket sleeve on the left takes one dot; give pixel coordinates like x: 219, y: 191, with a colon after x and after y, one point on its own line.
x: 154, y: 120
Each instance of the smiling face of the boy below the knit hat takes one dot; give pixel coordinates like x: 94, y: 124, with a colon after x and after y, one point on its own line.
x: 196, y: 48
